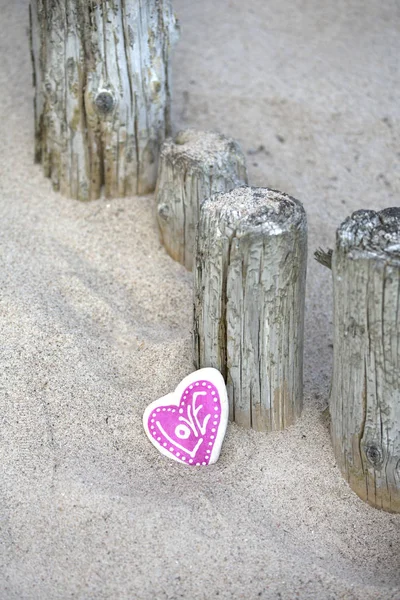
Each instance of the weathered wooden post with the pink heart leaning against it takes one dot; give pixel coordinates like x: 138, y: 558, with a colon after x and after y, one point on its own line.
x: 250, y: 277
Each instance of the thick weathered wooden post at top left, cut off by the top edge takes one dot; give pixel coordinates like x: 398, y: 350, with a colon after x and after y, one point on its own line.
x: 102, y: 92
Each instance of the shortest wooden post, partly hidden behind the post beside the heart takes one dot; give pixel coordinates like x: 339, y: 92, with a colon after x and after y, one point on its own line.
x: 193, y: 166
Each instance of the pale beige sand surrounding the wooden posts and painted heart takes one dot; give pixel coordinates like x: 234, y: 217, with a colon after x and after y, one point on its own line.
x: 95, y: 323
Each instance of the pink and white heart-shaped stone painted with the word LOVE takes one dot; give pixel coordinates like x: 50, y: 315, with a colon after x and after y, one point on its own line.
x: 189, y: 424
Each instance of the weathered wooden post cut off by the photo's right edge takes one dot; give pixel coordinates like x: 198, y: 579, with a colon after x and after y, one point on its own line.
x: 365, y: 393
